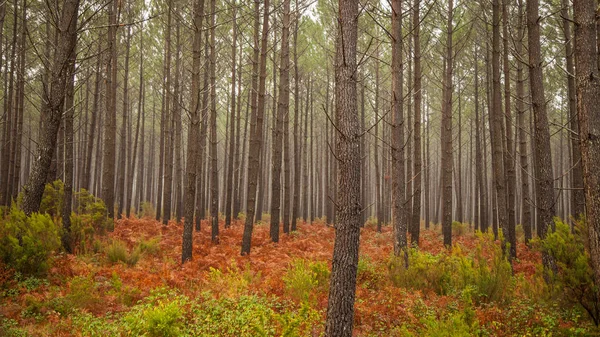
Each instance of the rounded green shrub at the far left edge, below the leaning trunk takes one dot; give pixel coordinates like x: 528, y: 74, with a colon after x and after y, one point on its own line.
x: 26, y: 242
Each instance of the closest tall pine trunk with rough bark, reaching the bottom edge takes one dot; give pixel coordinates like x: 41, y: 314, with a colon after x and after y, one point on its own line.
x: 340, y: 309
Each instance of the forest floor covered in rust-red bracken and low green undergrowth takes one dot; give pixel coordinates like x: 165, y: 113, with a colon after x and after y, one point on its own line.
x: 281, y: 289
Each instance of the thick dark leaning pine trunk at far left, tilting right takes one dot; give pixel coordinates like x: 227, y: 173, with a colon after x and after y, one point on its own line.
x: 52, y: 111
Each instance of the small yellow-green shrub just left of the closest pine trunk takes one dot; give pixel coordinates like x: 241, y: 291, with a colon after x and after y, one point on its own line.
x: 303, y: 277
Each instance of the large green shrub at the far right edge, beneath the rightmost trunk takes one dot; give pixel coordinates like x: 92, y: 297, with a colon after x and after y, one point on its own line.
x: 574, y: 280
